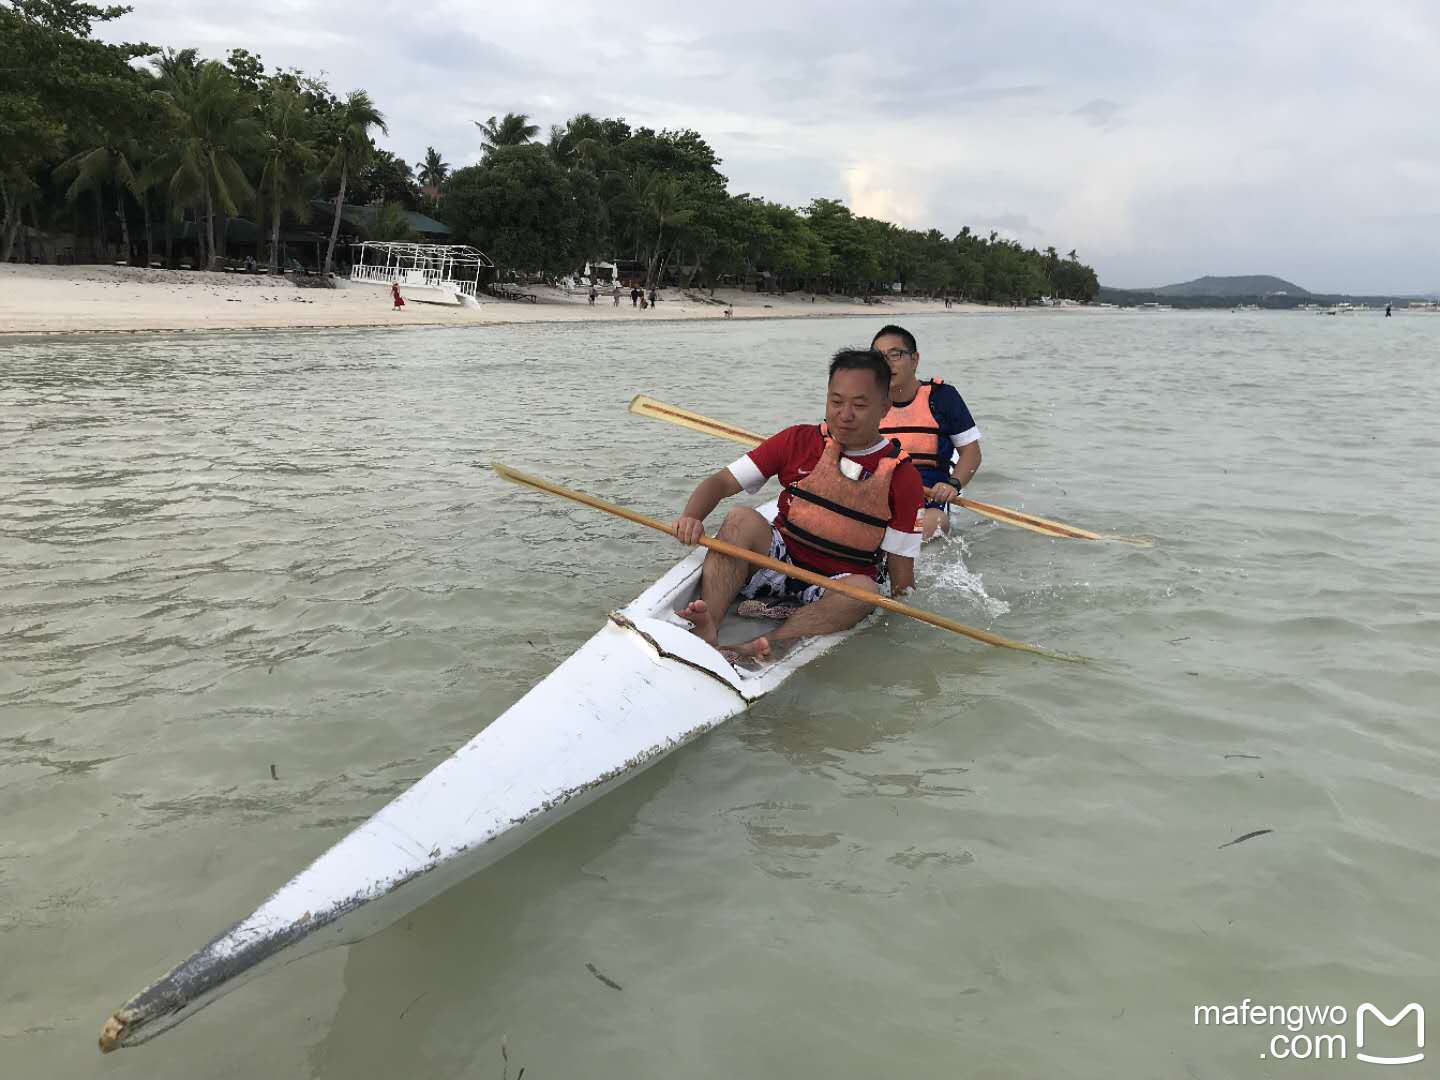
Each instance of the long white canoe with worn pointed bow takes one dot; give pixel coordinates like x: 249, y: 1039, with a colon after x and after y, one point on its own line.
x: 642, y: 688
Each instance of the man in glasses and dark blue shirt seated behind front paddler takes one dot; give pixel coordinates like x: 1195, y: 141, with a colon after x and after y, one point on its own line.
x: 932, y: 424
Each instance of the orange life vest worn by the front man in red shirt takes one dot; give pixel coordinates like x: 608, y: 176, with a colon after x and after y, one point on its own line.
x: 840, y: 516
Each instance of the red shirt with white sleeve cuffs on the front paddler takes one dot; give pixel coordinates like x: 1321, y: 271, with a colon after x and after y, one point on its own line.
x: 794, y: 453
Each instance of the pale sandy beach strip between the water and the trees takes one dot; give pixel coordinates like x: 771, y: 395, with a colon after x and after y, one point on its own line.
x: 93, y: 299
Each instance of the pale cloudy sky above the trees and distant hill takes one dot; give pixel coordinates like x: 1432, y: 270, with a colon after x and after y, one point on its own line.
x: 1163, y: 142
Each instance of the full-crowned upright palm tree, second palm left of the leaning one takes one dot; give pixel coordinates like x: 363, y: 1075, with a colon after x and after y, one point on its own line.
x: 215, y: 127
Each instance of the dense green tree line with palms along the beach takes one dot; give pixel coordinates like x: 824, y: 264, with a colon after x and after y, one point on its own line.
x: 161, y: 158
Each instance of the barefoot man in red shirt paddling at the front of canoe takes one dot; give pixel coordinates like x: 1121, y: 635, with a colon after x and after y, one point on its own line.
x: 849, y: 510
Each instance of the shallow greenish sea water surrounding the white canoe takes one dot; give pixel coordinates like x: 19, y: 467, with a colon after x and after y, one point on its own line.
x: 921, y: 858
